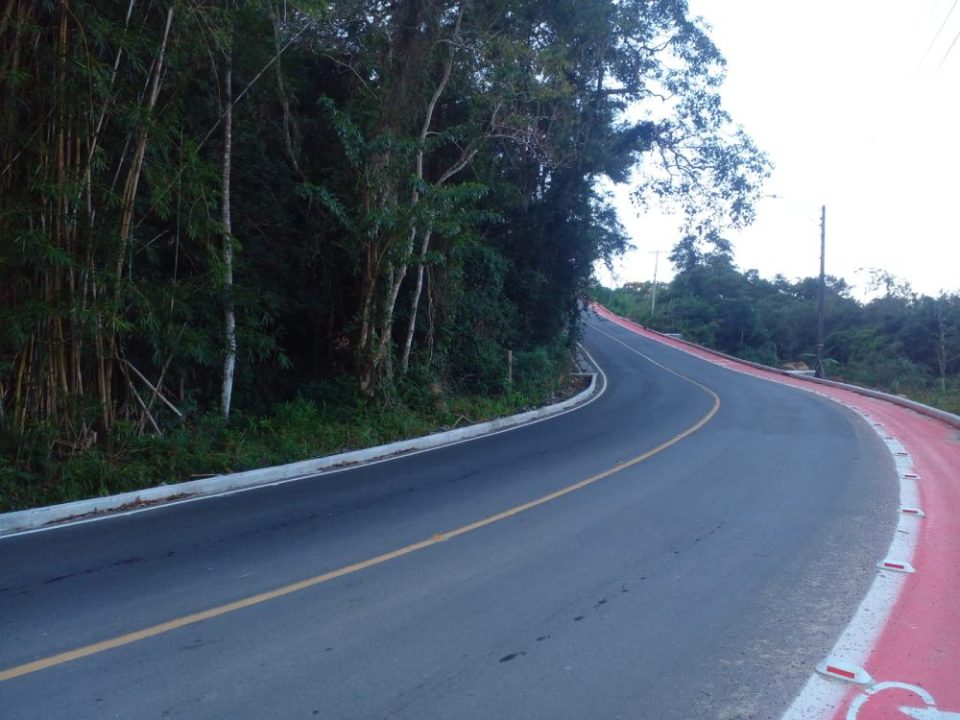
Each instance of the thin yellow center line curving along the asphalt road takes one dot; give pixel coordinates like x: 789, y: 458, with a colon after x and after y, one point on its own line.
x: 220, y: 610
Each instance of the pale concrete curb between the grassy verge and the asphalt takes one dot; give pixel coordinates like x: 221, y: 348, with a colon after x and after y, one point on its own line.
x: 35, y: 518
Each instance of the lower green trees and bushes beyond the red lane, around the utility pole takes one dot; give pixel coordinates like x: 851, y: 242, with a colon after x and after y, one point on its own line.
x: 900, y: 341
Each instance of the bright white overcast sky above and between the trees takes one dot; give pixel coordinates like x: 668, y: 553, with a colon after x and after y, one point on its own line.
x: 855, y: 114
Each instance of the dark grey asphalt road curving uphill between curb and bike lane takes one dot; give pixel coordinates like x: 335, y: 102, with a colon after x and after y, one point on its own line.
x: 704, y: 581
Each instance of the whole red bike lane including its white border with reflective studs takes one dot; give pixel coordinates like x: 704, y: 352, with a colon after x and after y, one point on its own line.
x: 900, y: 656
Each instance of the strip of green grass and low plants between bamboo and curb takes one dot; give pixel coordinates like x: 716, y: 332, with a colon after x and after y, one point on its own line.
x: 323, y: 420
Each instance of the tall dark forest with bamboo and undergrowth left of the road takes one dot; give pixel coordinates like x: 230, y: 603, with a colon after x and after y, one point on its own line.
x: 243, y: 232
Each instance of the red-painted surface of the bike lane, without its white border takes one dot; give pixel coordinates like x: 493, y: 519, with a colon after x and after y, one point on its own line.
x: 920, y: 644
